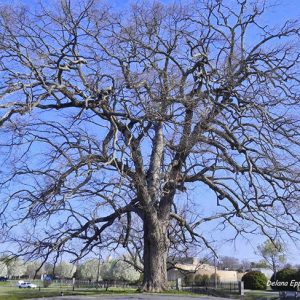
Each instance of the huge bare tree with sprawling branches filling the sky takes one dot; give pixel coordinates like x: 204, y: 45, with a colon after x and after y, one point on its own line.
x: 108, y: 116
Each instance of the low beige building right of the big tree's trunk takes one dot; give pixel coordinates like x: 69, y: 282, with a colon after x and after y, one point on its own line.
x: 192, y: 265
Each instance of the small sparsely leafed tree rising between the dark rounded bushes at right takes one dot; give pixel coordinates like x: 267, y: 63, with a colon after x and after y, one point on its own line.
x: 273, y: 254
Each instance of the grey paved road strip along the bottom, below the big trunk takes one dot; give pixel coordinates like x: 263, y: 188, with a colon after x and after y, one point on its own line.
x: 134, y: 297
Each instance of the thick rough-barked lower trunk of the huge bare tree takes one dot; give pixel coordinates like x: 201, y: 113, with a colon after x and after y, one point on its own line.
x: 156, y: 245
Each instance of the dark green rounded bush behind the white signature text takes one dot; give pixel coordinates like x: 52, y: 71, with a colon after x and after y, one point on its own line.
x: 285, y: 276
